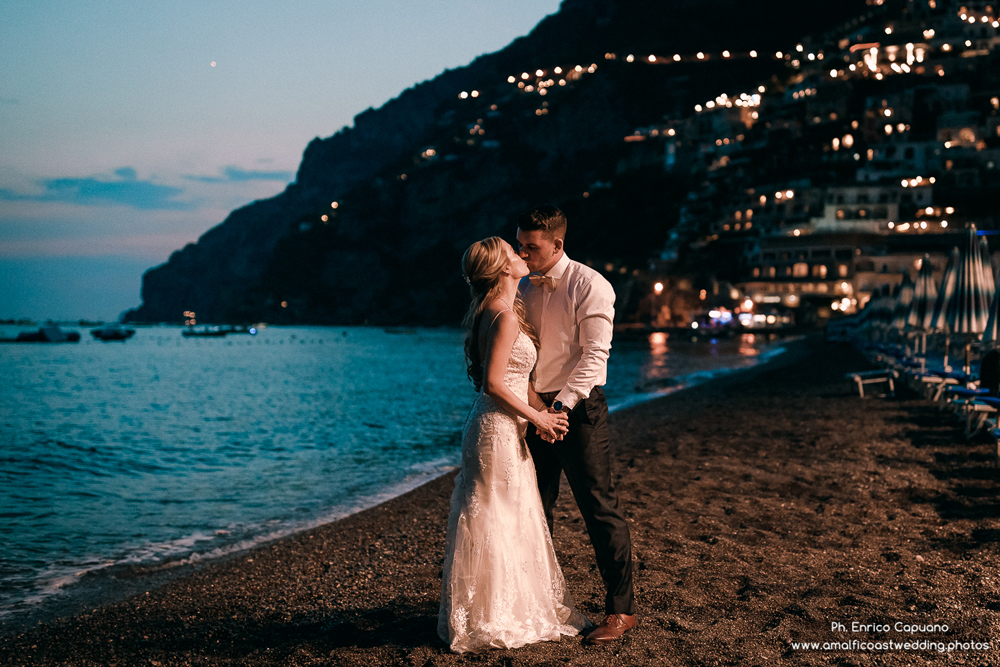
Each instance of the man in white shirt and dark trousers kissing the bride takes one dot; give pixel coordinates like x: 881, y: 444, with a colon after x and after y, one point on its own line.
x: 571, y: 308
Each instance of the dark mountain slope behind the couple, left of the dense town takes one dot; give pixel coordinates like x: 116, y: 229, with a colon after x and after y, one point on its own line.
x: 373, y: 228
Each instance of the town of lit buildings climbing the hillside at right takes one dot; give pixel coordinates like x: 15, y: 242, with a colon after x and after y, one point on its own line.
x: 900, y: 122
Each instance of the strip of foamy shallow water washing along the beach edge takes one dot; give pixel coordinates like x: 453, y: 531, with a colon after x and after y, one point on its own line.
x: 114, y: 581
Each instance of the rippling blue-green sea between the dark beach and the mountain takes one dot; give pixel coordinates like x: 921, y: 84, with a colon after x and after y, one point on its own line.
x: 164, y: 451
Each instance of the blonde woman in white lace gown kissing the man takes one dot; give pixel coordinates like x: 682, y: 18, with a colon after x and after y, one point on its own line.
x: 502, y: 585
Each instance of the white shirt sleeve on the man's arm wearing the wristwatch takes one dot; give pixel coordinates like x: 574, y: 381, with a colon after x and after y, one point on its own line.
x: 595, y: 316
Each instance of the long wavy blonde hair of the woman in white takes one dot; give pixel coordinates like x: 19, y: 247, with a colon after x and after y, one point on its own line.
x: 483, y: 265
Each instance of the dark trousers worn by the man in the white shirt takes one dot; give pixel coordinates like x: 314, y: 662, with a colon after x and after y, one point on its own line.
x: 583, y: 454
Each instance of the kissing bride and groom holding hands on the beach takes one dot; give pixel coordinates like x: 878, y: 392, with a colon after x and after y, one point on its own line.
x: 538, y: 337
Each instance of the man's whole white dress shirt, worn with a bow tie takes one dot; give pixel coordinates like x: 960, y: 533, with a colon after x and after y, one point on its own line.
x: 573, y: 316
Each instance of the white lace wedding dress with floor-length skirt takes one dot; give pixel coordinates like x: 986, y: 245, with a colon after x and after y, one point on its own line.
x: 502, y: 587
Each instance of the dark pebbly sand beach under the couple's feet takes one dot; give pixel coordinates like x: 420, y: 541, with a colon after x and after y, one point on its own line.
x: 764, y: 507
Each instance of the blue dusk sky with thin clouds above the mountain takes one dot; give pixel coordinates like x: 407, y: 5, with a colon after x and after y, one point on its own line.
x: 128, y: 129
